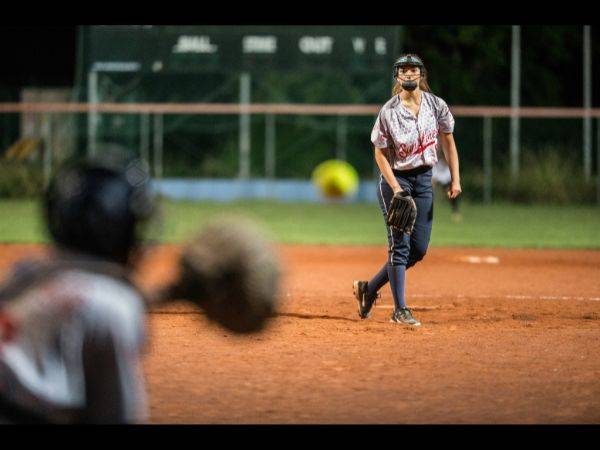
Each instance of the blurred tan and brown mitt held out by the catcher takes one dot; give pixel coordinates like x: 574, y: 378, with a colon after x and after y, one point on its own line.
x: 232, y: 273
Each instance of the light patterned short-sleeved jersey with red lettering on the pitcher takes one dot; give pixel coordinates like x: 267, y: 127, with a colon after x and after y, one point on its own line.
x: 412, y: 141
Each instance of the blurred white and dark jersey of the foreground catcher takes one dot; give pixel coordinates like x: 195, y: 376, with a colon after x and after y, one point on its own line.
x: 72, y: 350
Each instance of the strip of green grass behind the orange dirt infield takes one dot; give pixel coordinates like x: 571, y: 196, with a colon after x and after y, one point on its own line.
x: 497, y: 225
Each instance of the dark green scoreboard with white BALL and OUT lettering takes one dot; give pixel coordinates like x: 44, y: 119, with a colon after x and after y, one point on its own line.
x: 200, y: 49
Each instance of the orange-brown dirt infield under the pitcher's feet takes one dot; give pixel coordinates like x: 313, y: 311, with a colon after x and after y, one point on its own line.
x: 508, y: 336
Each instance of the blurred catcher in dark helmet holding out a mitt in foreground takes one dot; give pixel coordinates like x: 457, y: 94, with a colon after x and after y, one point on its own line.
x: 72, y: 323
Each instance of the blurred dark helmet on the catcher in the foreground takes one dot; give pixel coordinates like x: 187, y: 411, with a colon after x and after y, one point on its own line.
x: 97, y: 207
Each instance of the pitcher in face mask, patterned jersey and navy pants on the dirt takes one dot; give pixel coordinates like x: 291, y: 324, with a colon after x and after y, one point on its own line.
x: 405, y: 138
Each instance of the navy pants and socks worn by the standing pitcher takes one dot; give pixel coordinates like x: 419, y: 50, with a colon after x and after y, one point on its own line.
x: 405, y: 251
